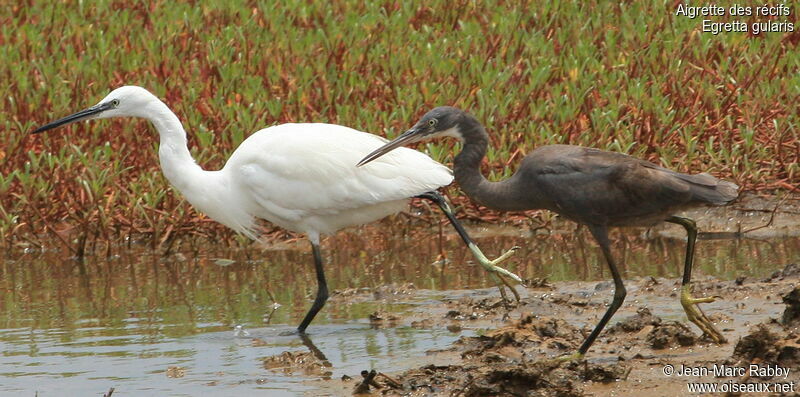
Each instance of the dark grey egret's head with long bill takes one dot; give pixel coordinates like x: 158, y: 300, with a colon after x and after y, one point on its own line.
x: 441, y: 121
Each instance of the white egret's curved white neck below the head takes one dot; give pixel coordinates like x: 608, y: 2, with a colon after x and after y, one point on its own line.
x: 176, y: 161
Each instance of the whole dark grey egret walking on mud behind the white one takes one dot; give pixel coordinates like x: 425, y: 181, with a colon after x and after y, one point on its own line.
x: 592, y: 187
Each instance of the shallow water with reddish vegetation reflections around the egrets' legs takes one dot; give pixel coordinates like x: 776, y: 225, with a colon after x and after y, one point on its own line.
x: 73, y: 327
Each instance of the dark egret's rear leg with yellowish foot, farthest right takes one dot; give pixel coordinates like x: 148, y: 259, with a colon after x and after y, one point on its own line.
x: 689, y: 302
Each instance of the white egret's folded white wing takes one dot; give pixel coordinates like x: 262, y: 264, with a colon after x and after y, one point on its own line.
x: 300, y: 170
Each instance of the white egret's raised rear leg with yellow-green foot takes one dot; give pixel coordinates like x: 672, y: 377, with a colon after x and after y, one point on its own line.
x: 495, y: 271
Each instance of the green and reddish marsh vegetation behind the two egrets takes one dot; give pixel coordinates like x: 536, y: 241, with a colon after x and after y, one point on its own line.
x: 626, y: 77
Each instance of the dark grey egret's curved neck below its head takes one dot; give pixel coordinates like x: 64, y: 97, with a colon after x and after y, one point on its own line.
x: 508, y: 195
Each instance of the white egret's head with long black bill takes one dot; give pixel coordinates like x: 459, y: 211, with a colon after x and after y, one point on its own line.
x: 127, y: 101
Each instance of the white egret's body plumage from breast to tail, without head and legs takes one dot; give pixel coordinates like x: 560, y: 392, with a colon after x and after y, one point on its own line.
x: 301, y: 177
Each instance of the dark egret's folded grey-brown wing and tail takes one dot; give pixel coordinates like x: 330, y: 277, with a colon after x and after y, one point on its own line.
x: 600, y: 187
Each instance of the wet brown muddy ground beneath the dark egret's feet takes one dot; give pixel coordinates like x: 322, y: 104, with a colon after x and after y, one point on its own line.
x: 515, y: 350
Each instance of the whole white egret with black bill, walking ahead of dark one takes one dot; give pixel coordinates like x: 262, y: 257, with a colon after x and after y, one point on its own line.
x: 300, y: 177
